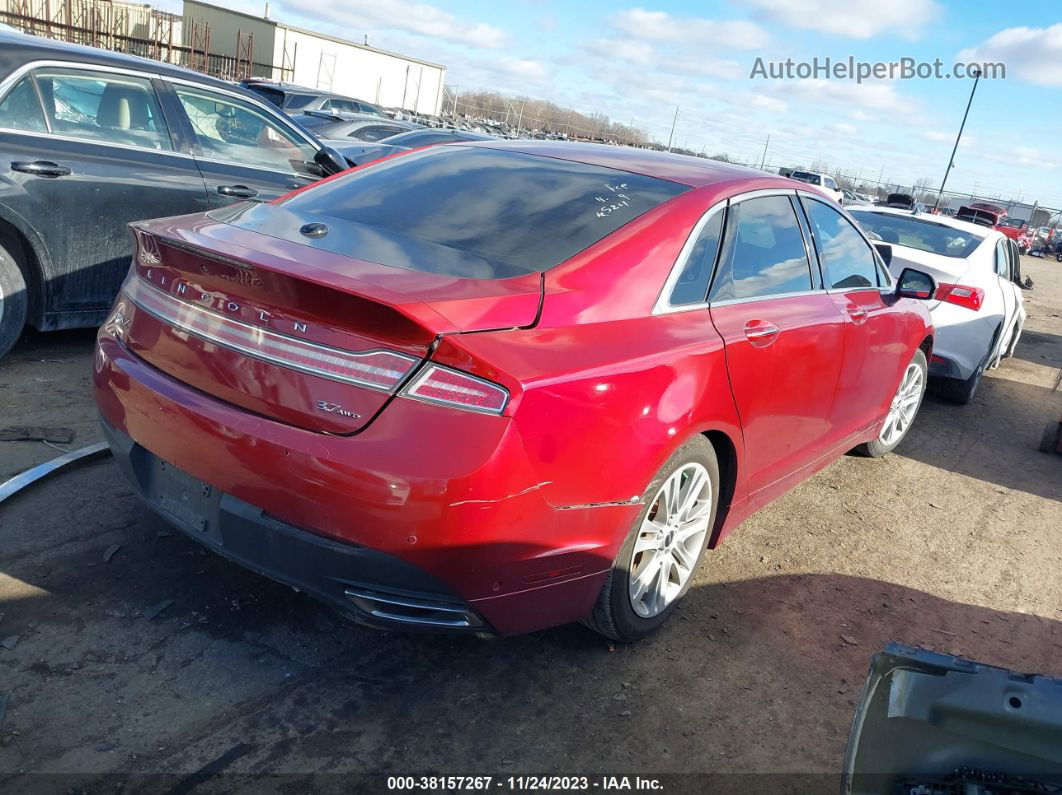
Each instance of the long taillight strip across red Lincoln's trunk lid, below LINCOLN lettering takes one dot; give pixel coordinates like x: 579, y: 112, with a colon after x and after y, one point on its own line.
x: 375, y: 370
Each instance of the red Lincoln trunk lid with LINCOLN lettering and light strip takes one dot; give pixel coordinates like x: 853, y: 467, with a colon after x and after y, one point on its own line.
x: 321, y: 347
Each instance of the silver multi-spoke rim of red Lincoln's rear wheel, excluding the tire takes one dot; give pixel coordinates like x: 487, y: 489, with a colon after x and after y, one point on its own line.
x: 671, y: 540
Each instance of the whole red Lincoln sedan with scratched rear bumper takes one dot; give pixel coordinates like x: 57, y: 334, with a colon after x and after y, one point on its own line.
x: 501, y: 387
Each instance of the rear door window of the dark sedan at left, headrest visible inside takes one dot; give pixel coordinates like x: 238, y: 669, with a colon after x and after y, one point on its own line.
x: 104, y: 107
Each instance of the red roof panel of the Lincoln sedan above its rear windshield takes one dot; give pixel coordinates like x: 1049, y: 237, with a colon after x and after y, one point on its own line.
x: 696, y: 172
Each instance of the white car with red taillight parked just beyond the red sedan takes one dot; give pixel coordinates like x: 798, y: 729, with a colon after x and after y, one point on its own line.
x: 979, y: 310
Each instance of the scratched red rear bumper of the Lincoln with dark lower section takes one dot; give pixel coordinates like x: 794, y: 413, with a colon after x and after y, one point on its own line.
x: 427, y: 504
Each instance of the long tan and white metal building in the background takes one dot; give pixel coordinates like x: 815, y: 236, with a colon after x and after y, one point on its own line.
x: 318, y: 61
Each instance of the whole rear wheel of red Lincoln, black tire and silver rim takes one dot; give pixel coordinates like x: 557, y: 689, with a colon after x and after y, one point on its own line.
x: 656, y: 565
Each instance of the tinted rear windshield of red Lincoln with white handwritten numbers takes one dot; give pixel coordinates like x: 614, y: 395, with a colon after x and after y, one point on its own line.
x: 474, y: 212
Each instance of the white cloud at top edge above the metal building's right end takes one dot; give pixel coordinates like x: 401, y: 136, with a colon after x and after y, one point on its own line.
x: 401, y: 15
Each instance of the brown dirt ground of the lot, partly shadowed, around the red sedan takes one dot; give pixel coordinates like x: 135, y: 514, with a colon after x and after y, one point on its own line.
x: 952, y: 544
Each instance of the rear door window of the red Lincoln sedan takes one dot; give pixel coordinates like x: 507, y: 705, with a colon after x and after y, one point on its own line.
x: 766, y: 254
